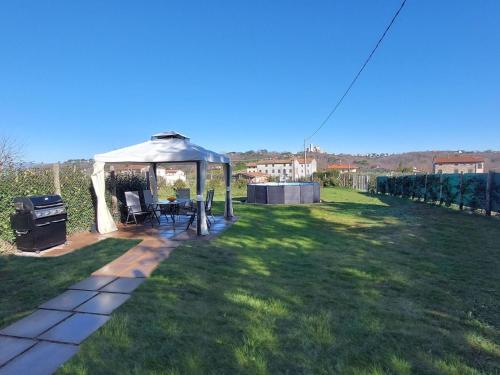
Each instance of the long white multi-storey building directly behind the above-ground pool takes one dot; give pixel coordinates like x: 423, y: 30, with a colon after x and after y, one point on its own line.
x: 285, y: 169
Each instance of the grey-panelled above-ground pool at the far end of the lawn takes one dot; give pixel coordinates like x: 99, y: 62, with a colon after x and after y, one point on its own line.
x: 283, y: 193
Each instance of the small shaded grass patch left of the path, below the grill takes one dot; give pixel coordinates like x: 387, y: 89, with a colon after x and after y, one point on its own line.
x: 26, y: 282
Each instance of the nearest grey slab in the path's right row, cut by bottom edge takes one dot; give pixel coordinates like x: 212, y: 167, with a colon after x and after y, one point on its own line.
x: 42, y: 359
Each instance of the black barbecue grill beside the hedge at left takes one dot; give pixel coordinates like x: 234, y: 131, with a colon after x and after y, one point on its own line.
x: 39, y: 222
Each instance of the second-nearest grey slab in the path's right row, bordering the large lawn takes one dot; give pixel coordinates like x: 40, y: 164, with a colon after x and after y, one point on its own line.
x: 75, y: 329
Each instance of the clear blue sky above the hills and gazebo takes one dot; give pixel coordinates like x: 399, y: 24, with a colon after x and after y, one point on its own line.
x: 83, y: 77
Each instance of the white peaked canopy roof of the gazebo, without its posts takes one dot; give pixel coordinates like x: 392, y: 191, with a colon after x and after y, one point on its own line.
x: 162, y: 148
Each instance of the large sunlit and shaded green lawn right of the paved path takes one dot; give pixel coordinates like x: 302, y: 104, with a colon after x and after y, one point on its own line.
x: 360, y: 285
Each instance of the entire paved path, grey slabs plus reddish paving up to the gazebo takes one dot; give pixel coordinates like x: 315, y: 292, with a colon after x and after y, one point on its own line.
x: 41, y: 342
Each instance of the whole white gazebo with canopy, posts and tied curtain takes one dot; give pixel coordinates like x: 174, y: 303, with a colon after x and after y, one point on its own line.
x: 168, y: 147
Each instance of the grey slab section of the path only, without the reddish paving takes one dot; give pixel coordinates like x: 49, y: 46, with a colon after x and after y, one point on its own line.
x: 42, y: 341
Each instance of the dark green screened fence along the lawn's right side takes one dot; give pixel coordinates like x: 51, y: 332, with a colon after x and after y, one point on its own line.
x: 479, y: 191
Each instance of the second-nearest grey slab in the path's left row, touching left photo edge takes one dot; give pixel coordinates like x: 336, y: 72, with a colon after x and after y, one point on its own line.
x: 35, y: 324
